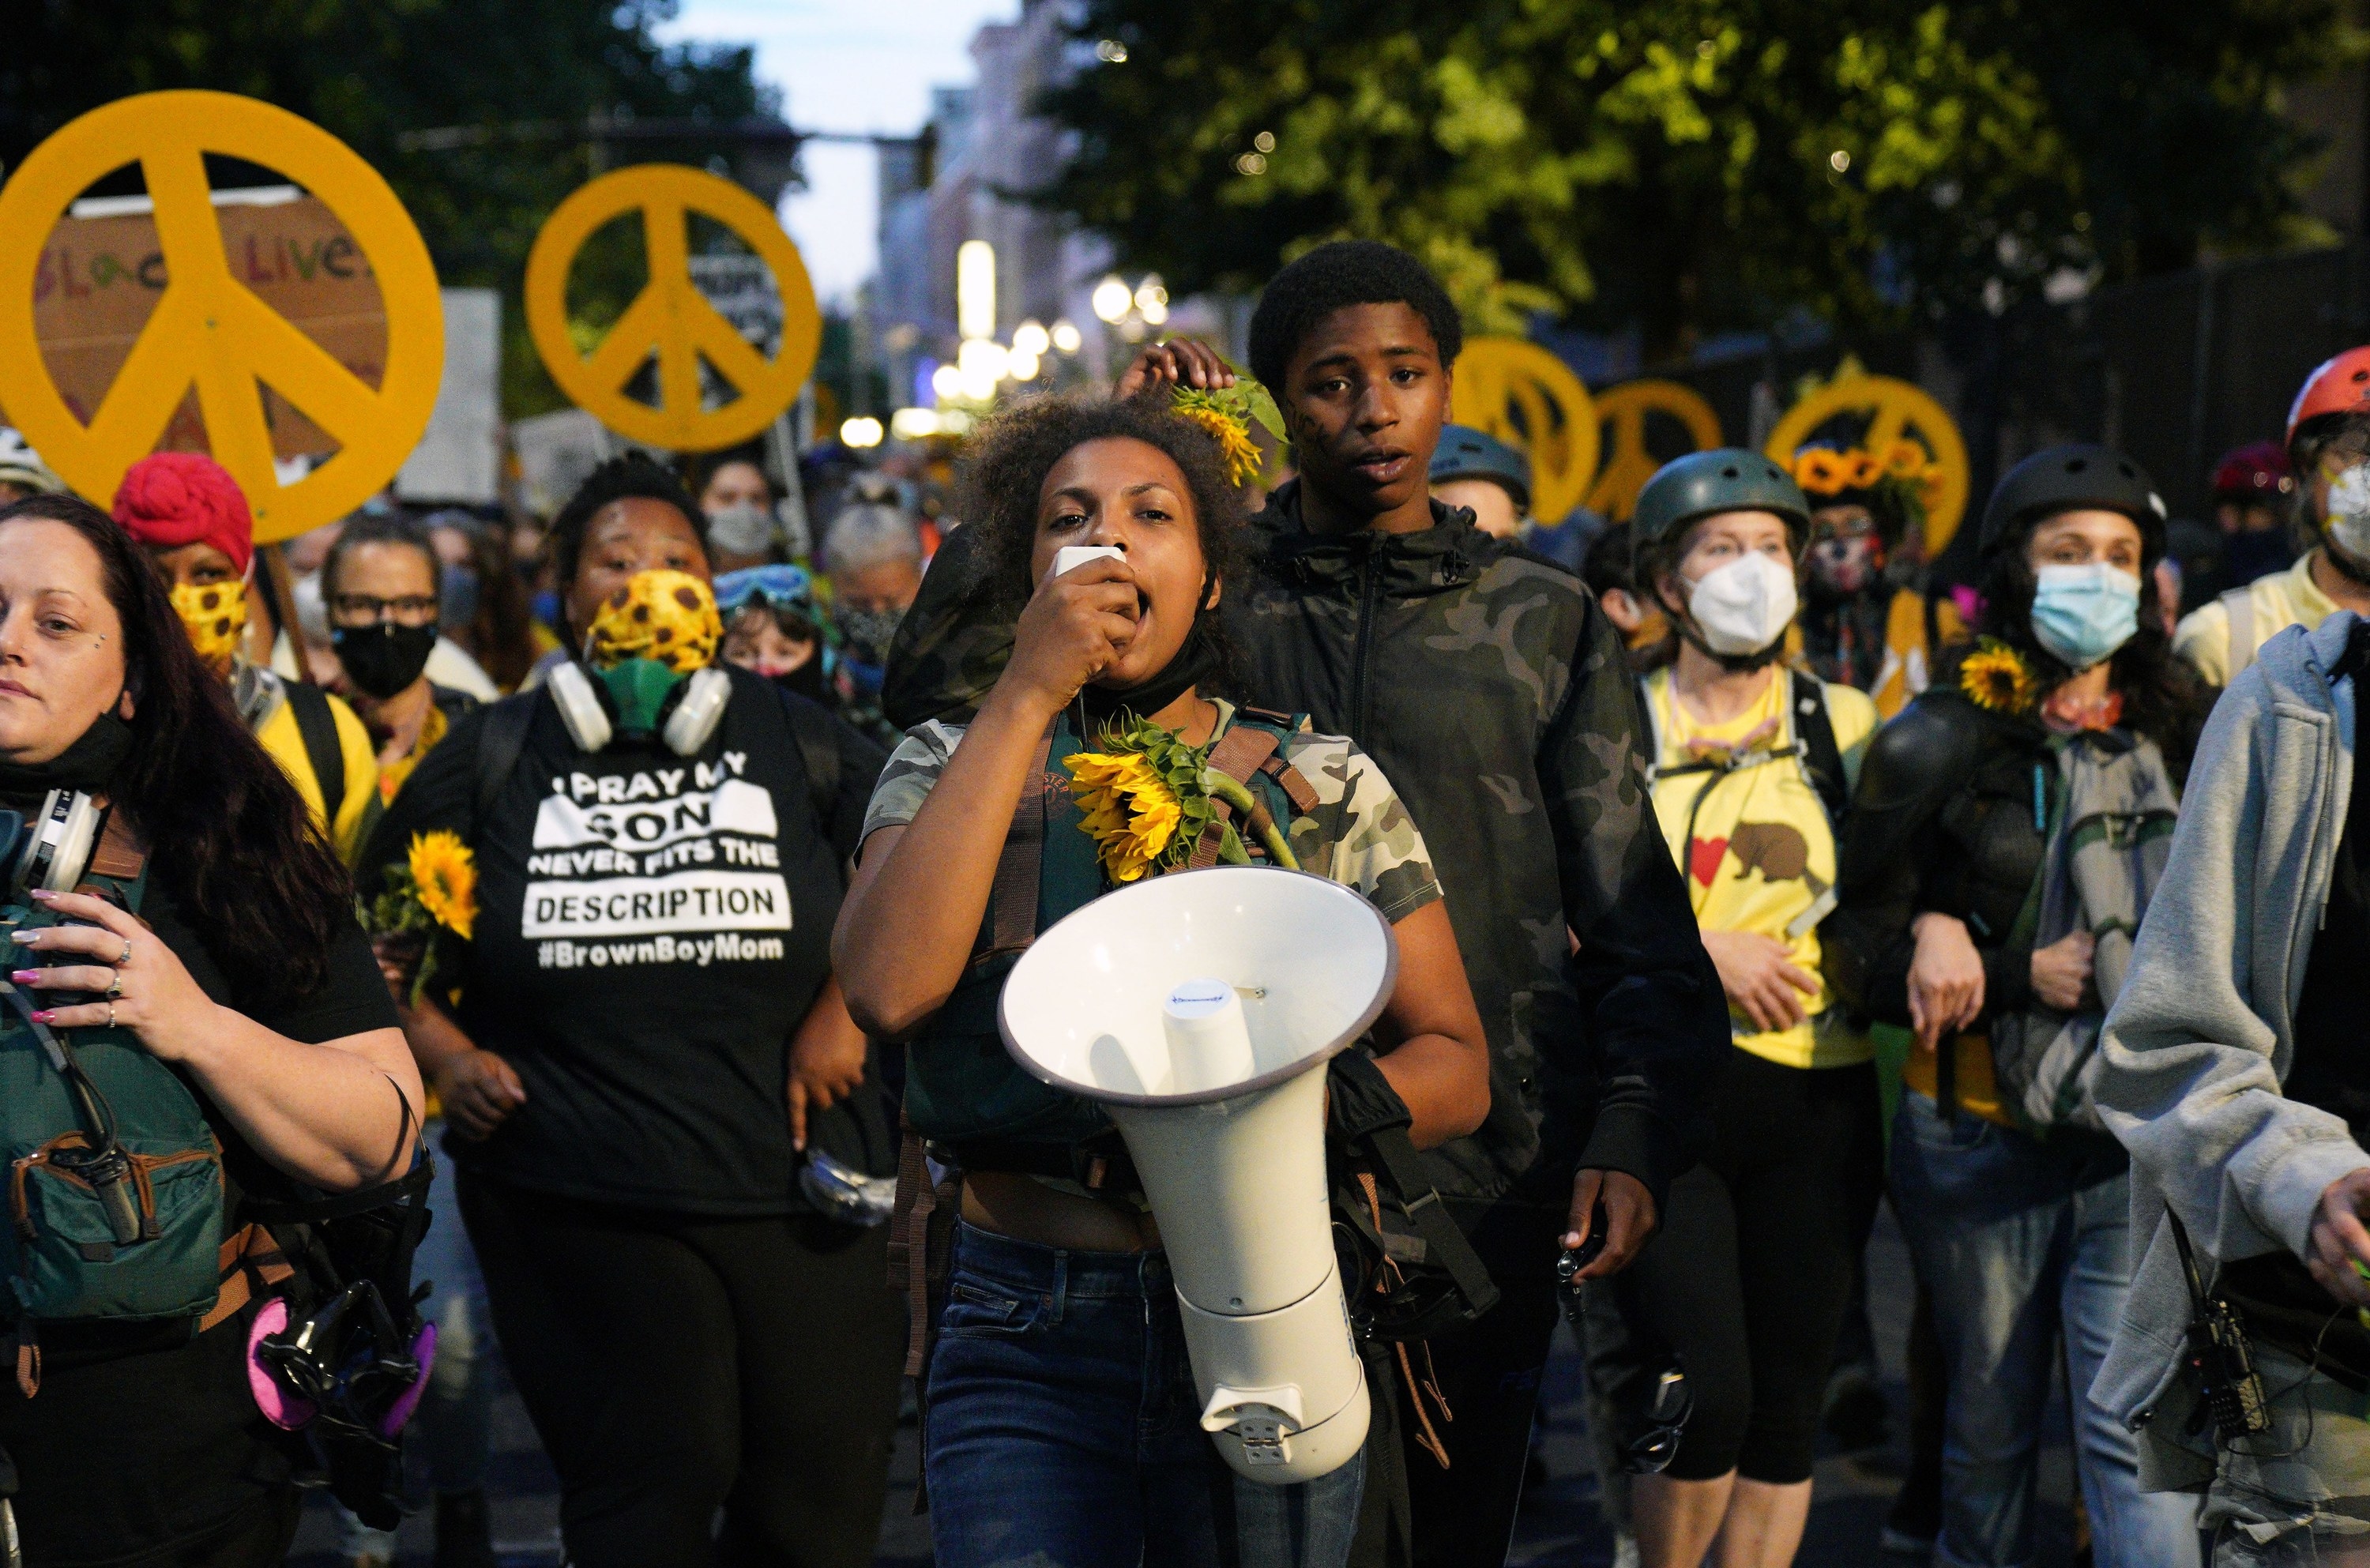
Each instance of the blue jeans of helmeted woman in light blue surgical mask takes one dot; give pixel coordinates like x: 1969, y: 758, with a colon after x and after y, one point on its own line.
x: 2018, y: 1242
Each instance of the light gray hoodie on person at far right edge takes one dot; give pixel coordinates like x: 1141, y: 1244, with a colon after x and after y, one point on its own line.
x: 2203, y: 1034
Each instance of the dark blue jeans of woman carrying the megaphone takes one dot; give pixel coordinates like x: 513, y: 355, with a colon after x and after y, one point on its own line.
x: 1065, y: 1432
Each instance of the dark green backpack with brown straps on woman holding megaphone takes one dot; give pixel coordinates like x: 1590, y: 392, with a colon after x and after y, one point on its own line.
x: 963, y: 1088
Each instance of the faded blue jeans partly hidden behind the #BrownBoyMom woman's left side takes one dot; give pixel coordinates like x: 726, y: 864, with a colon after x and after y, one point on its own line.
x: 454, y: 1425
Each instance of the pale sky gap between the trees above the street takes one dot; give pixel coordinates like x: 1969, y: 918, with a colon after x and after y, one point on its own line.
x: 845, y: 65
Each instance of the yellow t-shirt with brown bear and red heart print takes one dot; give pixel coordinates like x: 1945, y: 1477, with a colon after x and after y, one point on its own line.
x: 1755, y: 844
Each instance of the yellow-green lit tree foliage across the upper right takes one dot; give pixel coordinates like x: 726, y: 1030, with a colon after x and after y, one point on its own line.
x: 1693, y: 165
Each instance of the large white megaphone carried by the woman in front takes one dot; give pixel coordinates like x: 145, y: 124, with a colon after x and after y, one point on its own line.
x: 1200, y: 1010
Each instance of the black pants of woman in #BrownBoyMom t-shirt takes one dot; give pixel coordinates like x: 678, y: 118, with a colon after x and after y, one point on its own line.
x: 684, y: 1365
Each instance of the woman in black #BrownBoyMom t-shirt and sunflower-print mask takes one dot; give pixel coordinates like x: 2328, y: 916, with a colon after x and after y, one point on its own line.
x: 643, y: 1036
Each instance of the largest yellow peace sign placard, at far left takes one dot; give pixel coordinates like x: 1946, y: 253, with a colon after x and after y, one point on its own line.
x: 210, y: 330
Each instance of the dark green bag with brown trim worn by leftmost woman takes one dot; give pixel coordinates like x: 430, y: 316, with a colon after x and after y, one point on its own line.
x: 115, y: 1181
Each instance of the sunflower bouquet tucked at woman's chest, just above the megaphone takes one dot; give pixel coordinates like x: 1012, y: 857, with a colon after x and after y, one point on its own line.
x: 1148, y: 797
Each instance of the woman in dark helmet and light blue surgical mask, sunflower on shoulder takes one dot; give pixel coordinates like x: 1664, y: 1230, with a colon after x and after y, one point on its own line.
x: 2004, y: 842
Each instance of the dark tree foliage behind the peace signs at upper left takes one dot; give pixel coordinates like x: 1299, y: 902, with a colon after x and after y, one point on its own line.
x: 378, y: 70
